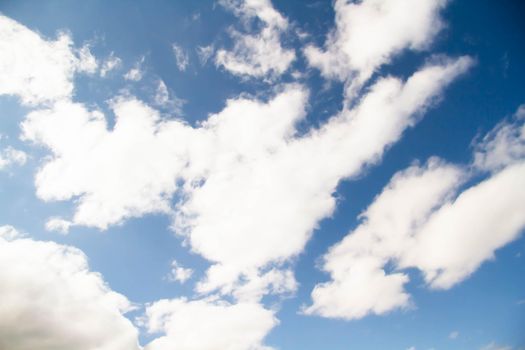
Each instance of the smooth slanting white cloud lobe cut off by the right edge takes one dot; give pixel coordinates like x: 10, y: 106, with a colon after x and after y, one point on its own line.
x: 462, y: 234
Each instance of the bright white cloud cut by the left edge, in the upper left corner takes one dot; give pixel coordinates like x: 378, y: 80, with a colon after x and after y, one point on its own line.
x: 39, y: 70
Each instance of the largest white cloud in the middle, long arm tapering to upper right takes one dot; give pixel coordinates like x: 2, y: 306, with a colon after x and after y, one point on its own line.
x: 246, y: 180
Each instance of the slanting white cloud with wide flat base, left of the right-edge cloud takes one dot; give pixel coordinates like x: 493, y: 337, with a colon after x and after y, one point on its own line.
x: 359, y: 284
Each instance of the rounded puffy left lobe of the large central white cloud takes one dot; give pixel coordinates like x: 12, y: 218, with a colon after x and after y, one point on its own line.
x: 122, y: 173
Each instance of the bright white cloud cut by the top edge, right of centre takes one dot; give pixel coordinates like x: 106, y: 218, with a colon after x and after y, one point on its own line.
x: 370, y: 33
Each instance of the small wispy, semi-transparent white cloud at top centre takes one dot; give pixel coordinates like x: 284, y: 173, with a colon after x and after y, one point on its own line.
x: 261, y: 54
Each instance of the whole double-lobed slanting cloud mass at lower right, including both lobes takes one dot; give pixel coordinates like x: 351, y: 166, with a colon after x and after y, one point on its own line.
x: 416, y: 223
